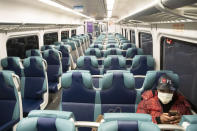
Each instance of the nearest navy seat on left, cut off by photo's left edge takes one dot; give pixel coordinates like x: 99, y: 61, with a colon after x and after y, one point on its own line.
x: 10, y: 112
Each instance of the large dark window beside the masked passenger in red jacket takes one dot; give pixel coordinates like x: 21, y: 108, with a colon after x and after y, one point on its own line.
x: 180, y: 57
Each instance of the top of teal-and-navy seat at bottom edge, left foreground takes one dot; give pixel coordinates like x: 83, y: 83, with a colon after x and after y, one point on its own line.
x: 47, y: 121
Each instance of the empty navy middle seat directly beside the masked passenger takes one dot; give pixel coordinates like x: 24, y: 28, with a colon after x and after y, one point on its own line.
x: 118, y: 93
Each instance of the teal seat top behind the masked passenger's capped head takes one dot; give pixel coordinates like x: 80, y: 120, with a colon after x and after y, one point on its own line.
x: 151, y: 79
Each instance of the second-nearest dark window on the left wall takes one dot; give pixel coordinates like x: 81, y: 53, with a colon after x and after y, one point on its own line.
x: 50, y: 38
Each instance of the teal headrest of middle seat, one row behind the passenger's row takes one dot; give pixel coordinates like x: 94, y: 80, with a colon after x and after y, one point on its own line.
x: 108, y: 60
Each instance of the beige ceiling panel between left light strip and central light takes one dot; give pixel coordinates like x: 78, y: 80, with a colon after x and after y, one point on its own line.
x: 92, y: 8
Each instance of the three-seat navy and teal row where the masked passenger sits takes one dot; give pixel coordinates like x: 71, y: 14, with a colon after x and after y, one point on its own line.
x: 117, y: 94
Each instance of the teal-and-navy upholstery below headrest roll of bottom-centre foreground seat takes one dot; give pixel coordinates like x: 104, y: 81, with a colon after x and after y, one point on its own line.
x: 128, y: 126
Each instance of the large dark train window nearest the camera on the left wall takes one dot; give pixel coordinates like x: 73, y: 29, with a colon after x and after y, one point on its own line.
x: 17, y: 46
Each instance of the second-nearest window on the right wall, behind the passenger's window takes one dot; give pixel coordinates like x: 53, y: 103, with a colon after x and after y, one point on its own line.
x: 146, y: 43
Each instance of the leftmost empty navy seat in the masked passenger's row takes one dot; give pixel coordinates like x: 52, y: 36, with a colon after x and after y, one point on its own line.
x: 78, y: 95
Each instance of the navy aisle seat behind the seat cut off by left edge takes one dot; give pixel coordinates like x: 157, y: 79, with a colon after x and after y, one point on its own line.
x: 34, y: 82
